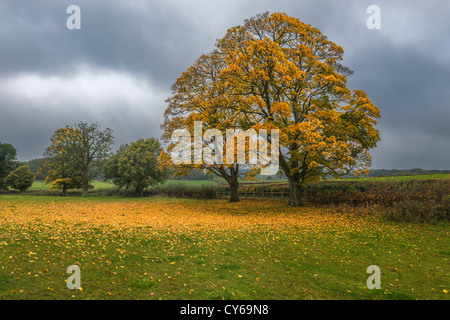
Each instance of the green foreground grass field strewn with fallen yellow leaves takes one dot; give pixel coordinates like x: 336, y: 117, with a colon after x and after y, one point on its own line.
x: 158, y: 248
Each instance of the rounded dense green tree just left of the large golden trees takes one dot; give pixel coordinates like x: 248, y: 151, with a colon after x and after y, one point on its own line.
x: 137, y: 166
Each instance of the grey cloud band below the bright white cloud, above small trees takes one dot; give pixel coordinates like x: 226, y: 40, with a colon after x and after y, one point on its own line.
x: 29, y: 130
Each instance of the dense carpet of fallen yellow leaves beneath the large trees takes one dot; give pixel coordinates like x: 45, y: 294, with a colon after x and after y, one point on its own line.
x: 161, y: 214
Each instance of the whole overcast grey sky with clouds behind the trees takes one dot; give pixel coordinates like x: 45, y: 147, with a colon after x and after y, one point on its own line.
x: 118, y: 69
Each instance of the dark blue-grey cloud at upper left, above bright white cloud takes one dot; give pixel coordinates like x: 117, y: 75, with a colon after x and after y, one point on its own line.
x: 150, y: 41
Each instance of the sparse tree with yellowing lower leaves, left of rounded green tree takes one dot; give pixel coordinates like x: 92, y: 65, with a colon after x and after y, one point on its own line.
x: 76, y: 155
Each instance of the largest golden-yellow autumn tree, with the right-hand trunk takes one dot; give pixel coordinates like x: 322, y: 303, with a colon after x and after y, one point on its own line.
x: 277, y: 72
